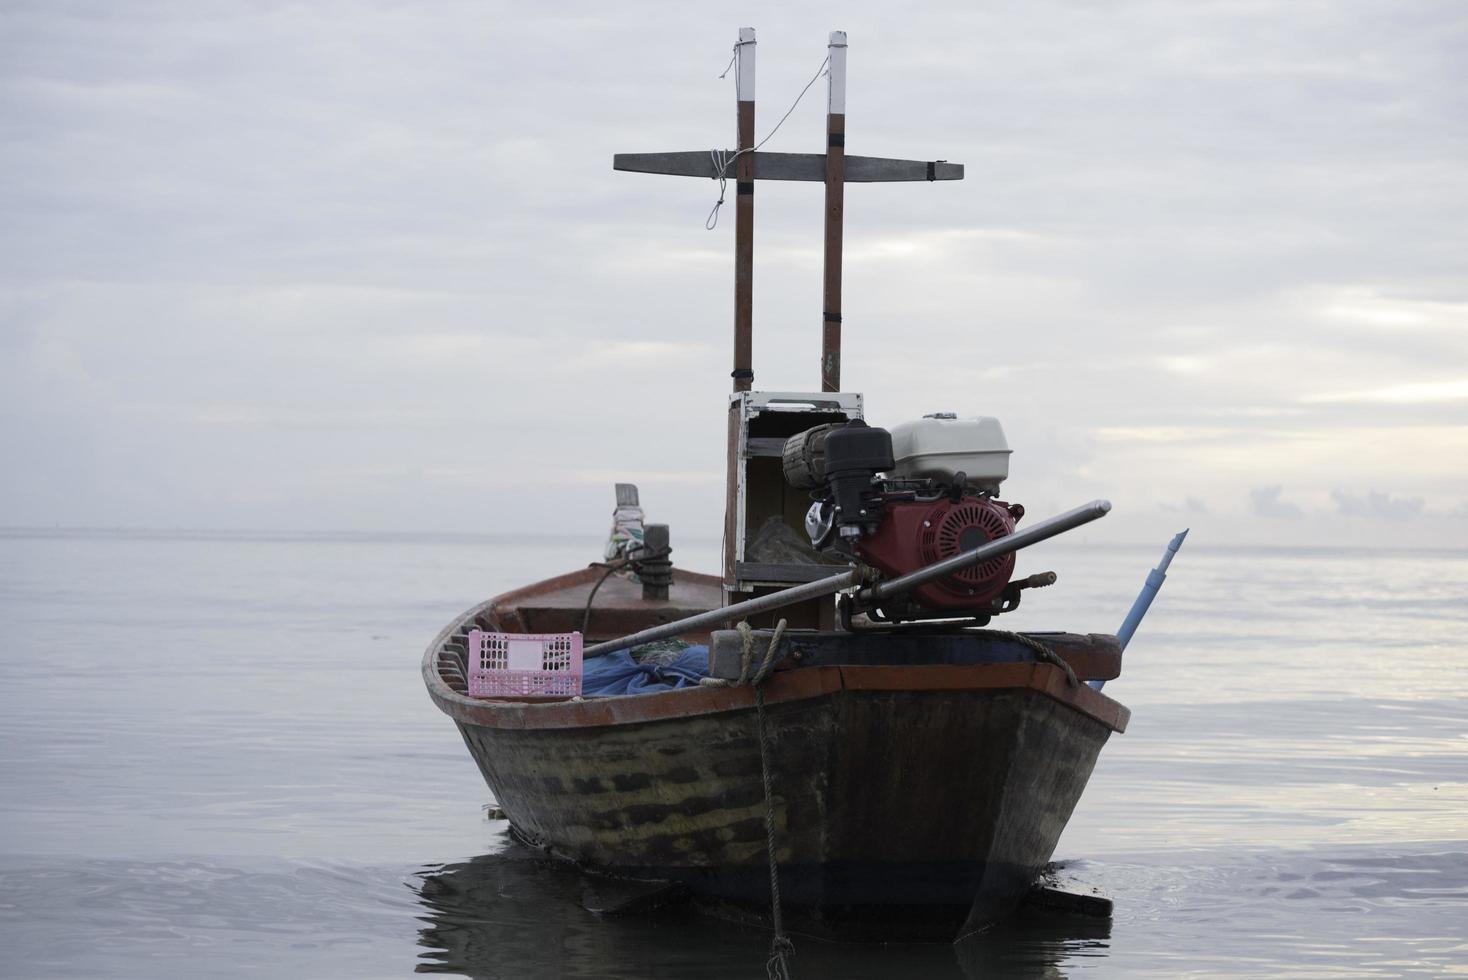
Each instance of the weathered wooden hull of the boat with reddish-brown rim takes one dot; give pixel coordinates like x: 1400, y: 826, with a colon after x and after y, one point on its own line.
x: 909, y: 802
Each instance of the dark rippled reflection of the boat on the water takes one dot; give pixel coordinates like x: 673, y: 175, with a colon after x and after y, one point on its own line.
x: 516, y: 915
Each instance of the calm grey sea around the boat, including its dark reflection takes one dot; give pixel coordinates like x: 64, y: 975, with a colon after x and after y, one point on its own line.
x: 218, y: 761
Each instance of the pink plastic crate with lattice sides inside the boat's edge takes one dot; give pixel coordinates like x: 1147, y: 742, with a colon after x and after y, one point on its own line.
x: 525, y: 664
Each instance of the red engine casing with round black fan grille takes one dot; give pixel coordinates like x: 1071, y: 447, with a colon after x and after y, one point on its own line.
x: 918, y: 533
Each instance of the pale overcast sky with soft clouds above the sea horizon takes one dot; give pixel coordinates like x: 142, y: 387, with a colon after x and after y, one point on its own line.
x: 366, y: 266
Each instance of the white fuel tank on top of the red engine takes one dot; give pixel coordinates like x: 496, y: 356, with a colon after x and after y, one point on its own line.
x: 942, y: 447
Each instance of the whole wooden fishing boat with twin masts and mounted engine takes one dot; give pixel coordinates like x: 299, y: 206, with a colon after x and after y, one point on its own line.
x: 829, y: 731
